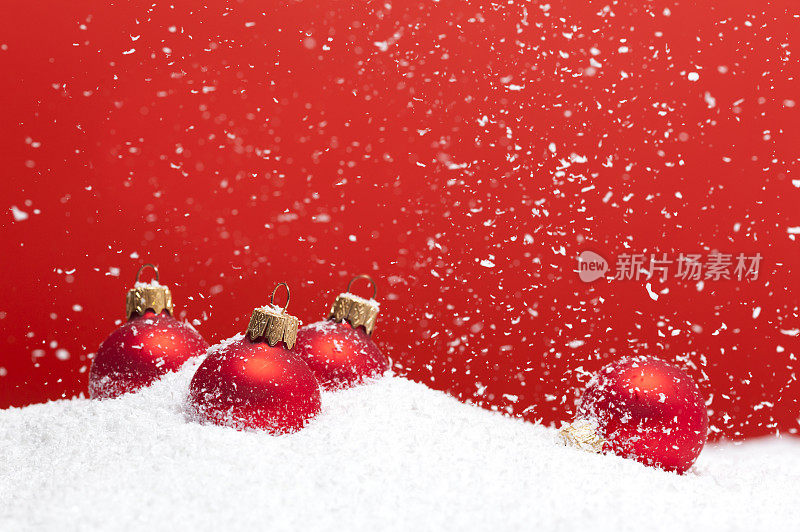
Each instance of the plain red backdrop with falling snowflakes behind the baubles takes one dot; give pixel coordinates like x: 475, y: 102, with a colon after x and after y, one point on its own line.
x: 246, y: 143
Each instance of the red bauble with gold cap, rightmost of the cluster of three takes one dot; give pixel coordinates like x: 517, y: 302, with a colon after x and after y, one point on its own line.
x: 340, y: 350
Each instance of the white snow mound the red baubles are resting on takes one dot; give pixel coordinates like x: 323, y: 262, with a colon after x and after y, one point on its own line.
x: 390, y: 455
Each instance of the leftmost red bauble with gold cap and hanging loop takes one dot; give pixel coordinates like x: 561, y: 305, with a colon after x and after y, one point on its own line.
x: 149, y: 345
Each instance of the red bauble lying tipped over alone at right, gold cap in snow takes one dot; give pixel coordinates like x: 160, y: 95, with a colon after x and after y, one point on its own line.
x: 642, y: 408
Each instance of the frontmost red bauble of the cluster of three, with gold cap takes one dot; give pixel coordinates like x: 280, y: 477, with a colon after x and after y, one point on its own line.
x: 254, y: 381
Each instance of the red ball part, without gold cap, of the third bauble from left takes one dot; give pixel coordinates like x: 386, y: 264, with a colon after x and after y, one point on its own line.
x: 339, y: 355
